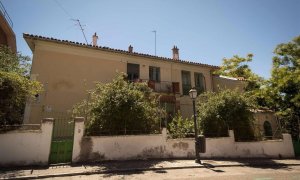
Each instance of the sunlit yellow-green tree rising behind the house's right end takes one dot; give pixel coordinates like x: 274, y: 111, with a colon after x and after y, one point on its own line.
x: 237, y: 67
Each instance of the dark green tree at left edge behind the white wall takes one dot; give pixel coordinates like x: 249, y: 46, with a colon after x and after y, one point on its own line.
x: 15, y: 86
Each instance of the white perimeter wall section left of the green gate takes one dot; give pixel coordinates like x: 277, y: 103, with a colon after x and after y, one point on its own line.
x: 24, y: 147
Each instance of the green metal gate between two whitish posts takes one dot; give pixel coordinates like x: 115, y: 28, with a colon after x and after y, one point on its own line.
x: 62, y: 141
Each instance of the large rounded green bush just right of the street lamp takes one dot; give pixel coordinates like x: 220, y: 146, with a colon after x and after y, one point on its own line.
x: 225, y: 110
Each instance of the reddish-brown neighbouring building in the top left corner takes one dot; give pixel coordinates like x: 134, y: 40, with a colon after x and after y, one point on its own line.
x: 7, y: 35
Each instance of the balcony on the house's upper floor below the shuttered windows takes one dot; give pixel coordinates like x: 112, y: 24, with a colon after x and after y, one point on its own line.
x: 163, y: 86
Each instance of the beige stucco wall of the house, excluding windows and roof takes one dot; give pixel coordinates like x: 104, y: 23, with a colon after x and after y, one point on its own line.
x: 67, y: 72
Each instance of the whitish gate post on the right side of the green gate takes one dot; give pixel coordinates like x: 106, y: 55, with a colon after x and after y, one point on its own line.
x: 78, y: 134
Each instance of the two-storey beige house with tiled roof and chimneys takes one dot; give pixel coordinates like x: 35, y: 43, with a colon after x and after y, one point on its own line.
x: 68, y: 69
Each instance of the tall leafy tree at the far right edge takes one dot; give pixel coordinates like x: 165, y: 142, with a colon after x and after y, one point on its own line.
x: 284, y: 85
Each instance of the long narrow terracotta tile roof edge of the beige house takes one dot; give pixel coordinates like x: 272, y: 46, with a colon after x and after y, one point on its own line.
x: 36, y: 37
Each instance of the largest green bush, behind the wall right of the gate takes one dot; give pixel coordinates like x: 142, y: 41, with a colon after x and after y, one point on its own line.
x: 119, y: 107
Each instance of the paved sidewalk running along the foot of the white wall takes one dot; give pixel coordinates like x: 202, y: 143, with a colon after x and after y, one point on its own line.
x: 134, y: 166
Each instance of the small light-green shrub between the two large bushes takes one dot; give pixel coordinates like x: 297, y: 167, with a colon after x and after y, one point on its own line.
x: 181, y: 128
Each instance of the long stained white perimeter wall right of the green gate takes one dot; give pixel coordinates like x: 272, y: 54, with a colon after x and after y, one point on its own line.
x: 96, y: 148
